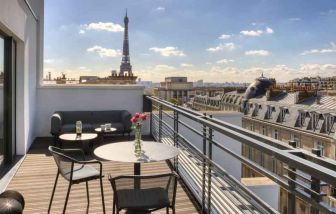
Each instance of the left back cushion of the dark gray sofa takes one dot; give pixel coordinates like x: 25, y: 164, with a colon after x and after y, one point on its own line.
x: 70, y: 117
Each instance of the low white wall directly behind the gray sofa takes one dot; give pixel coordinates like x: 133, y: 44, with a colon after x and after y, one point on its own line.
x: 72, y: 98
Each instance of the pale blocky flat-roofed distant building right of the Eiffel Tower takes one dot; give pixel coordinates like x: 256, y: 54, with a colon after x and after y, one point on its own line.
x: 175, y: 88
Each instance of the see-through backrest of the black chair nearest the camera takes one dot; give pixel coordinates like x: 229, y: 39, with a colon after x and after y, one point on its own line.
x: 165, y: 181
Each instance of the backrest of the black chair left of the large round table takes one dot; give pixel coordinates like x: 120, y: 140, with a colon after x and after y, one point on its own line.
x: 65, y: 164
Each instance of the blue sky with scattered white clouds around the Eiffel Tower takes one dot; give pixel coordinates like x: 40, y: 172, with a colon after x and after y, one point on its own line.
x: 217, y: 40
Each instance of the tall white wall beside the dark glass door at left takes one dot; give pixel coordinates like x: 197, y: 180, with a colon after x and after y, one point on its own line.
x: 17, y: 21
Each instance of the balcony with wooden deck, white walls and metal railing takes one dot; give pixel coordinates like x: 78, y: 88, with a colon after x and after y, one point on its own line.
x: 212, y: 155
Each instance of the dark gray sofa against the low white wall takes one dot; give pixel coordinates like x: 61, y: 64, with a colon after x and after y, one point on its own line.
x: 65, y: 121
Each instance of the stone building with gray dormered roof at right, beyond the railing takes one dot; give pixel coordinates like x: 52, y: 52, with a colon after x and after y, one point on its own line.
x: 309, y: 122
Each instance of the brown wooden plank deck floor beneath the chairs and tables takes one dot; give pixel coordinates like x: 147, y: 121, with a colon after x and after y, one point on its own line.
x: 36, y: 175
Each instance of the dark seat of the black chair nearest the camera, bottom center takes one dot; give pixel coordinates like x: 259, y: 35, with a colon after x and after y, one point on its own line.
x: 143, y: 199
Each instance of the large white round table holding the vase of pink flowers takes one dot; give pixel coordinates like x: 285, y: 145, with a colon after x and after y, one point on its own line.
x: 124, y: 152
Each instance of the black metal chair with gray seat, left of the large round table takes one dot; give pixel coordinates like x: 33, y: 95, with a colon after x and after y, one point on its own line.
x: 72, y: 166
